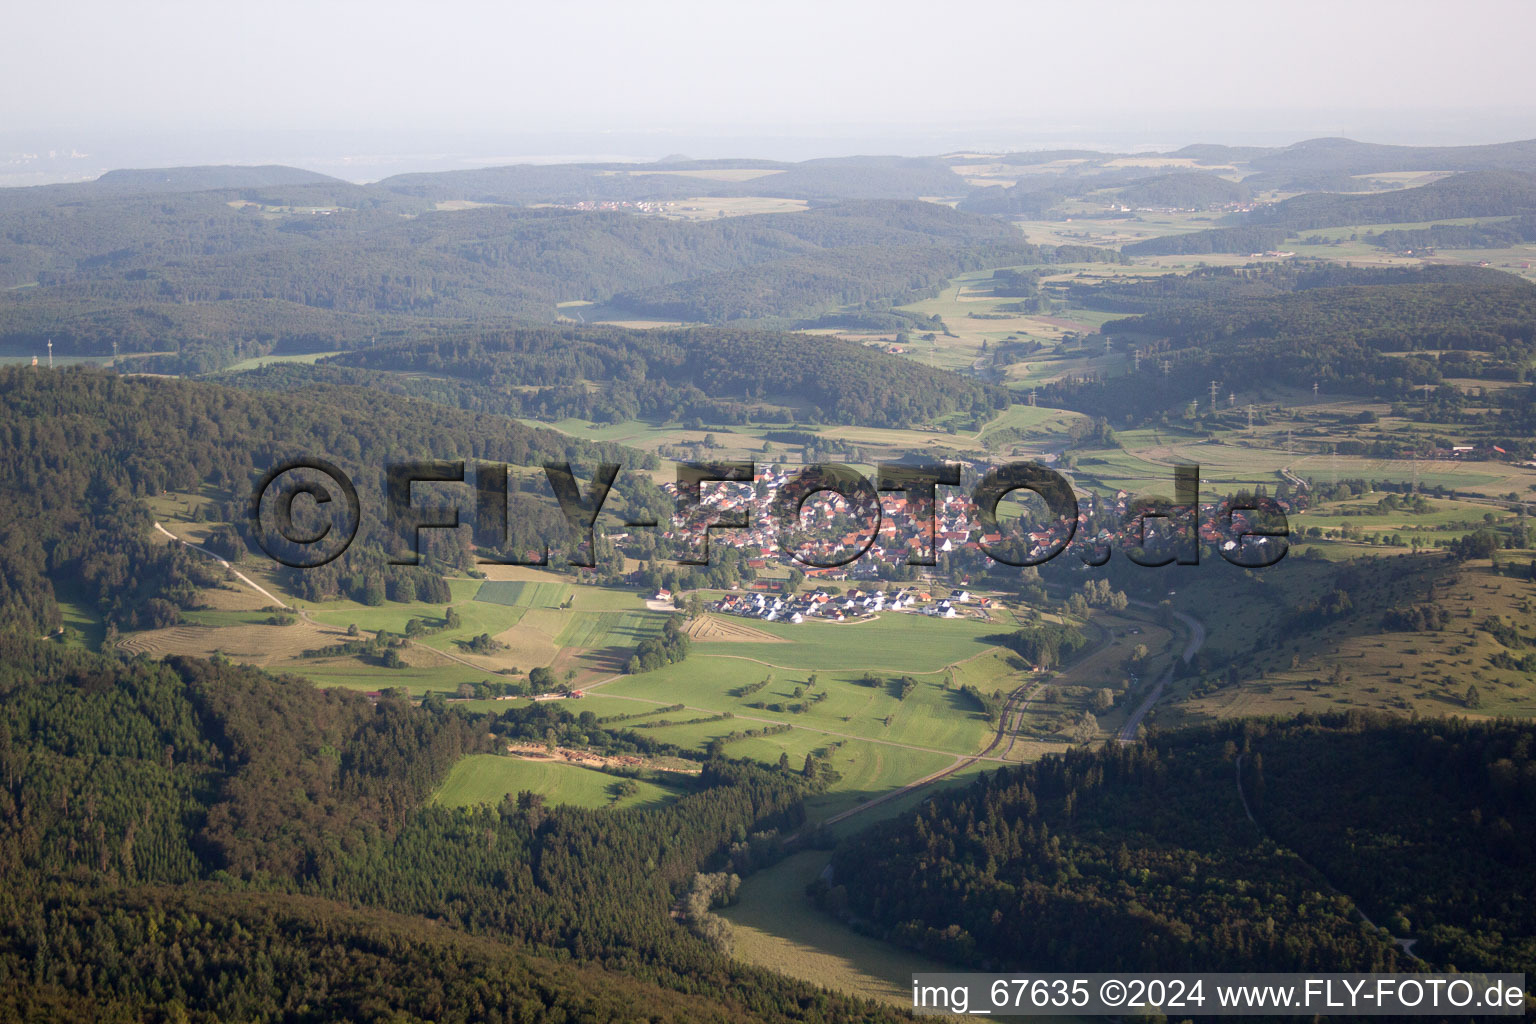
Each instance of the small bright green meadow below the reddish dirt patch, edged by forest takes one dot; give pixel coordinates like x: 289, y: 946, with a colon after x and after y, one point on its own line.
x: 491, y: 778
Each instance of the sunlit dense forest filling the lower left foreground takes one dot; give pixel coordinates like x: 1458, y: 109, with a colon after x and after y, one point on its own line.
x: 199, y: 842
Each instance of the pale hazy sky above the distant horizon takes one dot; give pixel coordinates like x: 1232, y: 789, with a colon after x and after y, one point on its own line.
x: 491, y: 74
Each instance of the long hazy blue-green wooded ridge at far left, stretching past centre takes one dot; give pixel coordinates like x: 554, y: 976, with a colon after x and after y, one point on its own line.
x: 222, y: 276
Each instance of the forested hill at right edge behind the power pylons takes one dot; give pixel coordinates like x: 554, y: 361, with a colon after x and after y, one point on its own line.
x: 1379, y: 334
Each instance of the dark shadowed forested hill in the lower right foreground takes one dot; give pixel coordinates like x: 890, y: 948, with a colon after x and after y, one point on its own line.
x: 1144, y: 857
